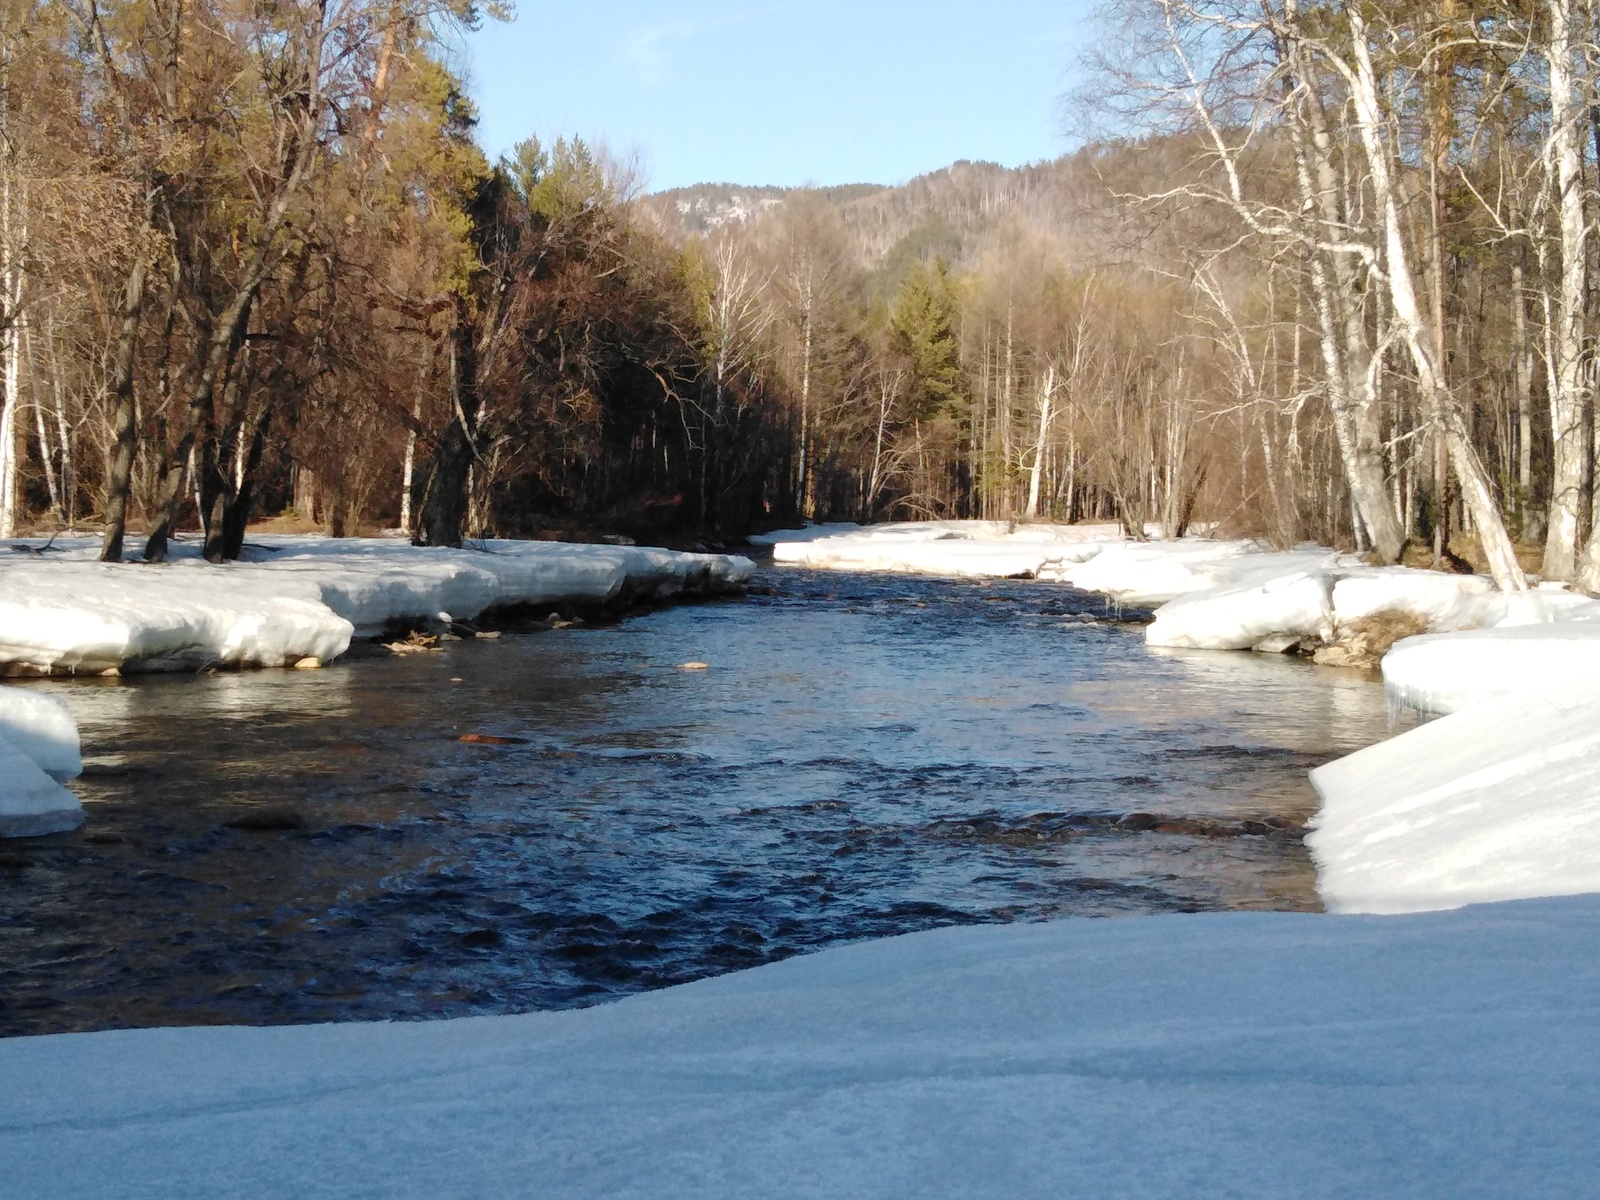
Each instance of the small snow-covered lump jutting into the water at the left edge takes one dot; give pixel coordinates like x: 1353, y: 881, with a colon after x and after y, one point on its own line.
x: 39, y: 753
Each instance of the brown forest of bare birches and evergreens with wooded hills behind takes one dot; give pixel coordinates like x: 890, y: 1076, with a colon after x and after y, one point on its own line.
x: 1318, y: 273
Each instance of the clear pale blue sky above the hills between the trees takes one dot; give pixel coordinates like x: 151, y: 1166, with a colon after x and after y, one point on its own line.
x: 793, y: 92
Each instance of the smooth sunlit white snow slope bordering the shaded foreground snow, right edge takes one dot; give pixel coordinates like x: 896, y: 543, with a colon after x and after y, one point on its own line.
x: 1497, y: 802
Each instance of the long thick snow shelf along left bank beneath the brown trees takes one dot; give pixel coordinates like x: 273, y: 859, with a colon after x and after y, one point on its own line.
x: 302, y: 598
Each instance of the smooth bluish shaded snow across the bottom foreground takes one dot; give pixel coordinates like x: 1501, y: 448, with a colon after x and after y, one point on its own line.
x: 1225, y: 1055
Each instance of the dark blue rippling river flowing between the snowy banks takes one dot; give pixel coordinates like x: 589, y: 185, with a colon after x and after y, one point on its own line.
x: 865, y: 756
